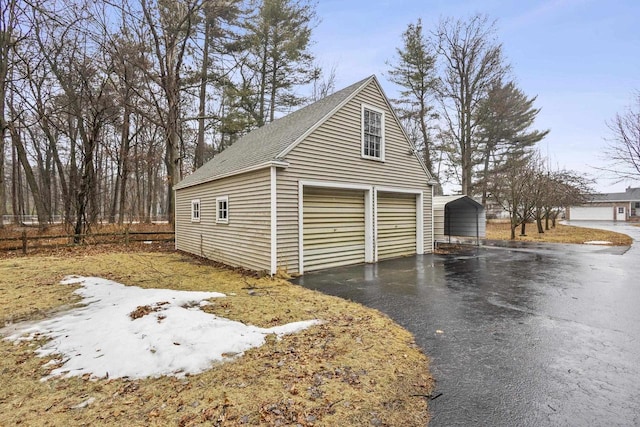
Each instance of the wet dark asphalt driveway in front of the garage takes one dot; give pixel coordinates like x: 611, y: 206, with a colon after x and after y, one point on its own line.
x: 545, y: 336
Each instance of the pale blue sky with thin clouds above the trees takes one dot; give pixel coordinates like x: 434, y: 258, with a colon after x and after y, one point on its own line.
x: 580, y: 57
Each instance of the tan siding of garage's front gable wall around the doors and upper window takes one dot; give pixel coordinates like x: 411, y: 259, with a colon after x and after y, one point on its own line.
x: 332, y: 152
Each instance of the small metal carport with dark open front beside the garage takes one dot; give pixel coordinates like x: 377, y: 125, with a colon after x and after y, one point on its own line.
x: 458, y: 217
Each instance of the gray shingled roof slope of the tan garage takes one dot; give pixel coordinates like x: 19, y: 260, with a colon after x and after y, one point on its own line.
x: 264, y: 144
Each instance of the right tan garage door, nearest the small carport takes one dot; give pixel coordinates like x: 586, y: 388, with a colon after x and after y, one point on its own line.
x: 396, y: 225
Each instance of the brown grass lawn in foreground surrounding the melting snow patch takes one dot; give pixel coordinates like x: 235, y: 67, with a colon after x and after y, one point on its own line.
x: 358, y: 368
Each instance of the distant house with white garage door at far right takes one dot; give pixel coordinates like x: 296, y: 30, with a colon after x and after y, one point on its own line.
x: 608, y: 207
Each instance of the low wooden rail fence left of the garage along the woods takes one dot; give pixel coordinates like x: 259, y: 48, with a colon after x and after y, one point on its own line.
x: 24, y: 242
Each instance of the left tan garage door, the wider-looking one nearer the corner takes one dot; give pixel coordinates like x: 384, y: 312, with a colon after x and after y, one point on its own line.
x: 333, y: 228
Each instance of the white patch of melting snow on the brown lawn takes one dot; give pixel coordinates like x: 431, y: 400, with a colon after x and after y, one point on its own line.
x: 173, y: 336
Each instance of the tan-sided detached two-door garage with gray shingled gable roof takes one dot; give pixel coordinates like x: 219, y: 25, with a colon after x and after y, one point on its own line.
x: 334, y: 183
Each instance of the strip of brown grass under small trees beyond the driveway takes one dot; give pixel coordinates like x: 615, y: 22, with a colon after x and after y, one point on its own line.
x: 499, y: 230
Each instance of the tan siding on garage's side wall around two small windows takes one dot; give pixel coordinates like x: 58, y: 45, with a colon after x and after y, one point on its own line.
x: 243, y: 241
